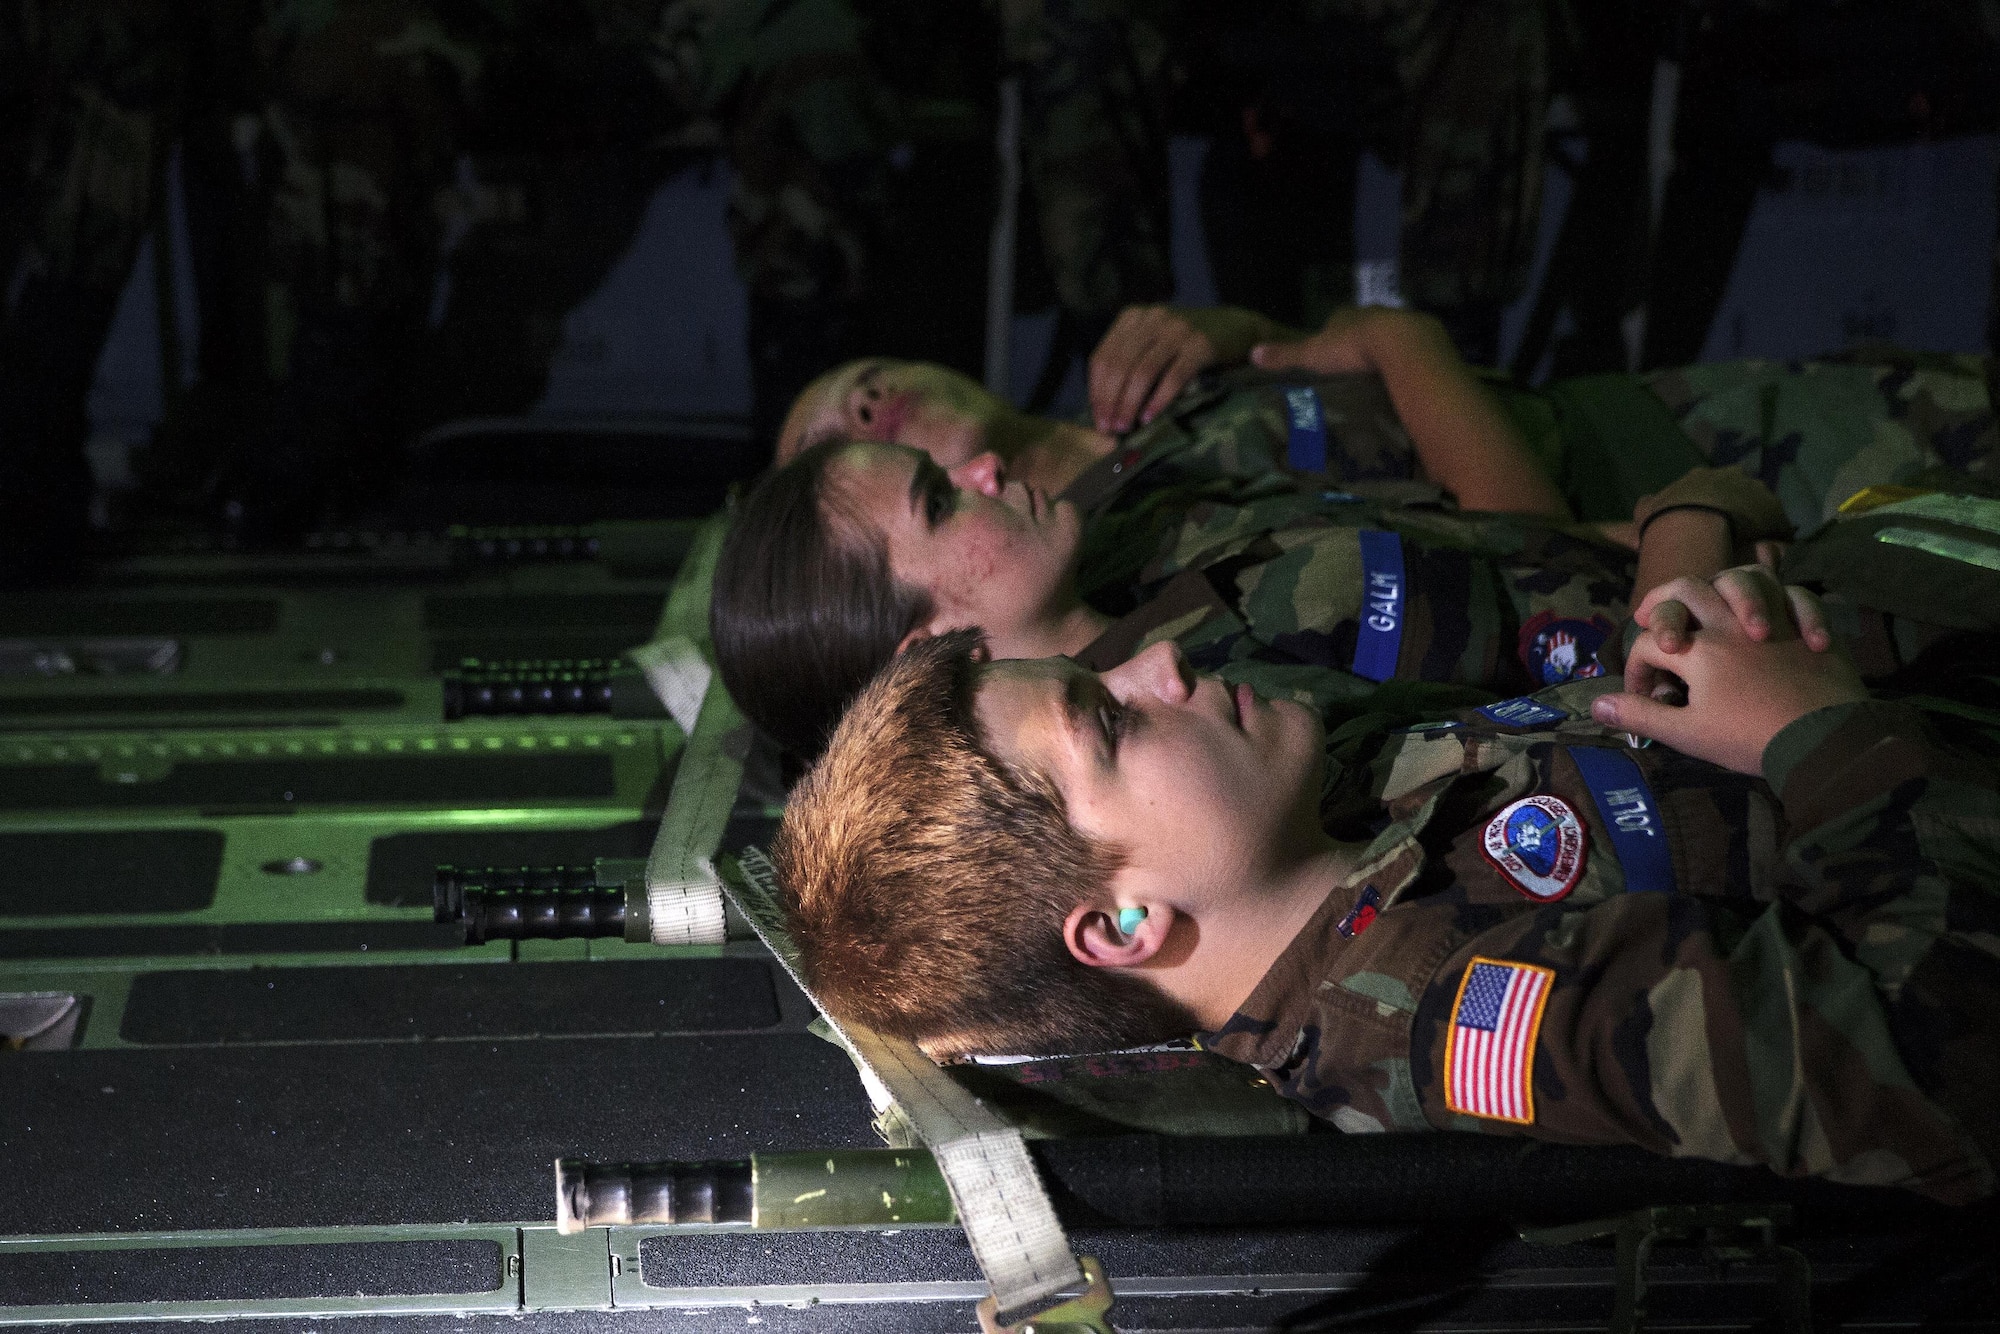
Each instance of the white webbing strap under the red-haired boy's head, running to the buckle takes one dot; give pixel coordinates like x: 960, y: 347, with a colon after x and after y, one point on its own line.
x: 1003, y: 1205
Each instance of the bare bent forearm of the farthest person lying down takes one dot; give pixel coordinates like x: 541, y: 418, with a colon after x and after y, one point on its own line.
x: 1465, y: 441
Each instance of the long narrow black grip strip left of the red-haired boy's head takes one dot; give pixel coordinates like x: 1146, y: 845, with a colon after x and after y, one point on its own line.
x: 449, y: 1001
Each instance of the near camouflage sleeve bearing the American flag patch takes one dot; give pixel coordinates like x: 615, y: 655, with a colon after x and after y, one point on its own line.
x: 1841, y: 1021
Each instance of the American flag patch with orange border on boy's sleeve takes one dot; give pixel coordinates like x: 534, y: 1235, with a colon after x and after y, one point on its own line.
x: 1489, y: 1055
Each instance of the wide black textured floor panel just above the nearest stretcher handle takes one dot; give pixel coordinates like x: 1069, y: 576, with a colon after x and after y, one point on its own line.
x: 277, y: 1137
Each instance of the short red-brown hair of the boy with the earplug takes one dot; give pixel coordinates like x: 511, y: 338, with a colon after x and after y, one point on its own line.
x: 927, y: 881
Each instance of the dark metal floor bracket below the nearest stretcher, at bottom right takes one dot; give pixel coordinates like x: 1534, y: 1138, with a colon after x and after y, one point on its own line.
x: 1729, y: 1235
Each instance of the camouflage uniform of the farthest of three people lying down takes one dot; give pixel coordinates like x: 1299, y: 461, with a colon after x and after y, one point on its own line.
x: 1815, y: 433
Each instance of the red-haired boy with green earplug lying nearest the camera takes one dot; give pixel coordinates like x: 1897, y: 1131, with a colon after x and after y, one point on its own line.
x: 1769, y: 941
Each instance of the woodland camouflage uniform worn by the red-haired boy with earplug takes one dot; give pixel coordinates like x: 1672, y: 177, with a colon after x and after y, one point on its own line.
x: 1811, y: 983
